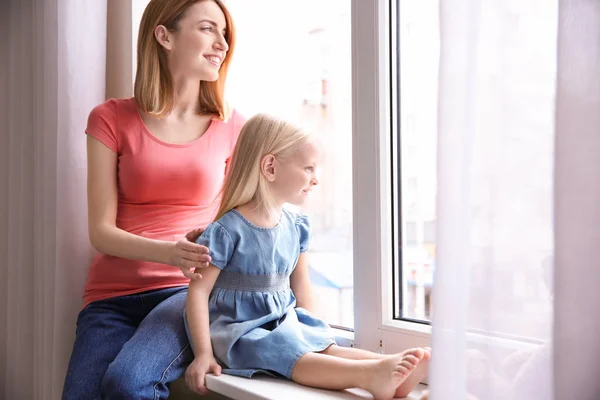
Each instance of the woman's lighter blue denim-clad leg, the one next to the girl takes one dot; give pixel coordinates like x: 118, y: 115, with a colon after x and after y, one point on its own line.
x: 155, y: 356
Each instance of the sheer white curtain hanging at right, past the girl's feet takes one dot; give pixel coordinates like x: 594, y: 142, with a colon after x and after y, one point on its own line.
x: 515, y: 298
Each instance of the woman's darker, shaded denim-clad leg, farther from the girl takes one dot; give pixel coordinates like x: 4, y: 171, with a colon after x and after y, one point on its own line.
x: 103, y: 327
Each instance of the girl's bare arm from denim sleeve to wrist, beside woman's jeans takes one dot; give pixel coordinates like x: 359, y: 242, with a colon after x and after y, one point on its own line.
x: 197, y: 311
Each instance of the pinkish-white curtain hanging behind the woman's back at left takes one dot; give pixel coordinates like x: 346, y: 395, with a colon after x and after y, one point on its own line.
x: 51, y: 74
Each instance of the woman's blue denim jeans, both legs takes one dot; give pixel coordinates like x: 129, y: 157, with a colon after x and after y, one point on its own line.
x: 129, y: 347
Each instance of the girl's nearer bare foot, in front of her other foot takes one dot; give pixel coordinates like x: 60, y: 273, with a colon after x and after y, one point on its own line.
x: 386, y: 374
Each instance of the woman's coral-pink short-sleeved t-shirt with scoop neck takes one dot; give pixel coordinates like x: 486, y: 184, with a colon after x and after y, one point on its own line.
x: 164, y: 191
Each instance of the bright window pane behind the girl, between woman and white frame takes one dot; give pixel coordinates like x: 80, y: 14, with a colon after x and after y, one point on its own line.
x: 294, y: 62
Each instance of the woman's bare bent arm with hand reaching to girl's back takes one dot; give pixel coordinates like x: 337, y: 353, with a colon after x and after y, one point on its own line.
x: 102, y: 215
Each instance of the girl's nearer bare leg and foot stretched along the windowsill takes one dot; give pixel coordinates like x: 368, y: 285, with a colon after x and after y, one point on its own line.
x: 380, y: 377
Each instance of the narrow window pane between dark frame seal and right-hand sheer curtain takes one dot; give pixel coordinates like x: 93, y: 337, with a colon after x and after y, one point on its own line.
x: 418, y: 40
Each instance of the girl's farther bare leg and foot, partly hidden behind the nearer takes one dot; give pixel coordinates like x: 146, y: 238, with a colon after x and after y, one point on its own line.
x: 410, y: 382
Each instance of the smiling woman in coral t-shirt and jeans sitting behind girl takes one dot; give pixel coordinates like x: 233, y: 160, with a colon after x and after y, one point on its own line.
x: 156, y: 163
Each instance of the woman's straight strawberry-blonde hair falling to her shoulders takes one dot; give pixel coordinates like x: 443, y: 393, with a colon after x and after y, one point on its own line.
x: 153, y: 91
